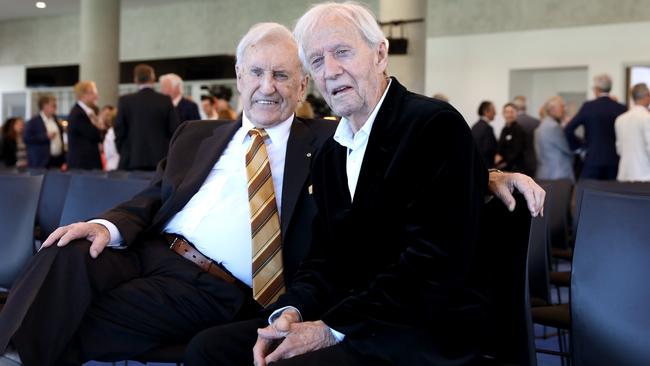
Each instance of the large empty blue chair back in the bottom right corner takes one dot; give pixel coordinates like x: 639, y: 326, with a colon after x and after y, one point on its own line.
x: 609, y: 296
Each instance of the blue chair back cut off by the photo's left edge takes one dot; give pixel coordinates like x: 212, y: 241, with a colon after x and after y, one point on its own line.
x: 18, y: 202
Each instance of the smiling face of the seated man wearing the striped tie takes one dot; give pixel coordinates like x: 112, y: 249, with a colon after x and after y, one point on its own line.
x: 270, y: 81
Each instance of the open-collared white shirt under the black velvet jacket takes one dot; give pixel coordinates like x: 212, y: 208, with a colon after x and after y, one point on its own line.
x: 356, y: 143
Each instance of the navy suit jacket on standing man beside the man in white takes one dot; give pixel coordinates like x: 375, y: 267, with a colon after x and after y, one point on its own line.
x: 598, y: 117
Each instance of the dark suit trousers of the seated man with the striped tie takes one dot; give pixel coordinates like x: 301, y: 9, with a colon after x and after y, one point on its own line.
x: 67, y: 308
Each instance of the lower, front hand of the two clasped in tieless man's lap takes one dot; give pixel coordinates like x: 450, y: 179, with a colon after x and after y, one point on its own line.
x: 302, y: 338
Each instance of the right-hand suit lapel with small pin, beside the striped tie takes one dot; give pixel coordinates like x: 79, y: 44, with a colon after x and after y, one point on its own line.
x: 297, y: 163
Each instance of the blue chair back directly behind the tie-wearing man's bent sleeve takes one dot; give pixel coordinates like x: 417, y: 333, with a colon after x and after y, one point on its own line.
x: 89, y: 196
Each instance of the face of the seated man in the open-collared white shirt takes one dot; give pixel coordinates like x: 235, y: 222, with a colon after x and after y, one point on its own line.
x: 348, y: 73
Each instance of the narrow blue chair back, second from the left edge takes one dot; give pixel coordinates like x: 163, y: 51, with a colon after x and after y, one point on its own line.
x: 50, y: 205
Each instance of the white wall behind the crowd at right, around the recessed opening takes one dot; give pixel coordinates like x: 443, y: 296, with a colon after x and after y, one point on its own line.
x: 471, y: 68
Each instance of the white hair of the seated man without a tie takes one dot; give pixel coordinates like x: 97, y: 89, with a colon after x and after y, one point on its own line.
x: 358, y: 15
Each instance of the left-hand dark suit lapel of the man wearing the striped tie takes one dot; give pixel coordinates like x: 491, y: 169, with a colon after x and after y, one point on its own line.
x: 207, y: 155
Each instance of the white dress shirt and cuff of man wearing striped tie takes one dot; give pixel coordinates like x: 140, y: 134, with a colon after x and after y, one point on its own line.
x: 217, y: 218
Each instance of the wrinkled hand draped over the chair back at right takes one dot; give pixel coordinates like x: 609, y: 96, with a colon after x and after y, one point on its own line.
x: 503, y: 184
